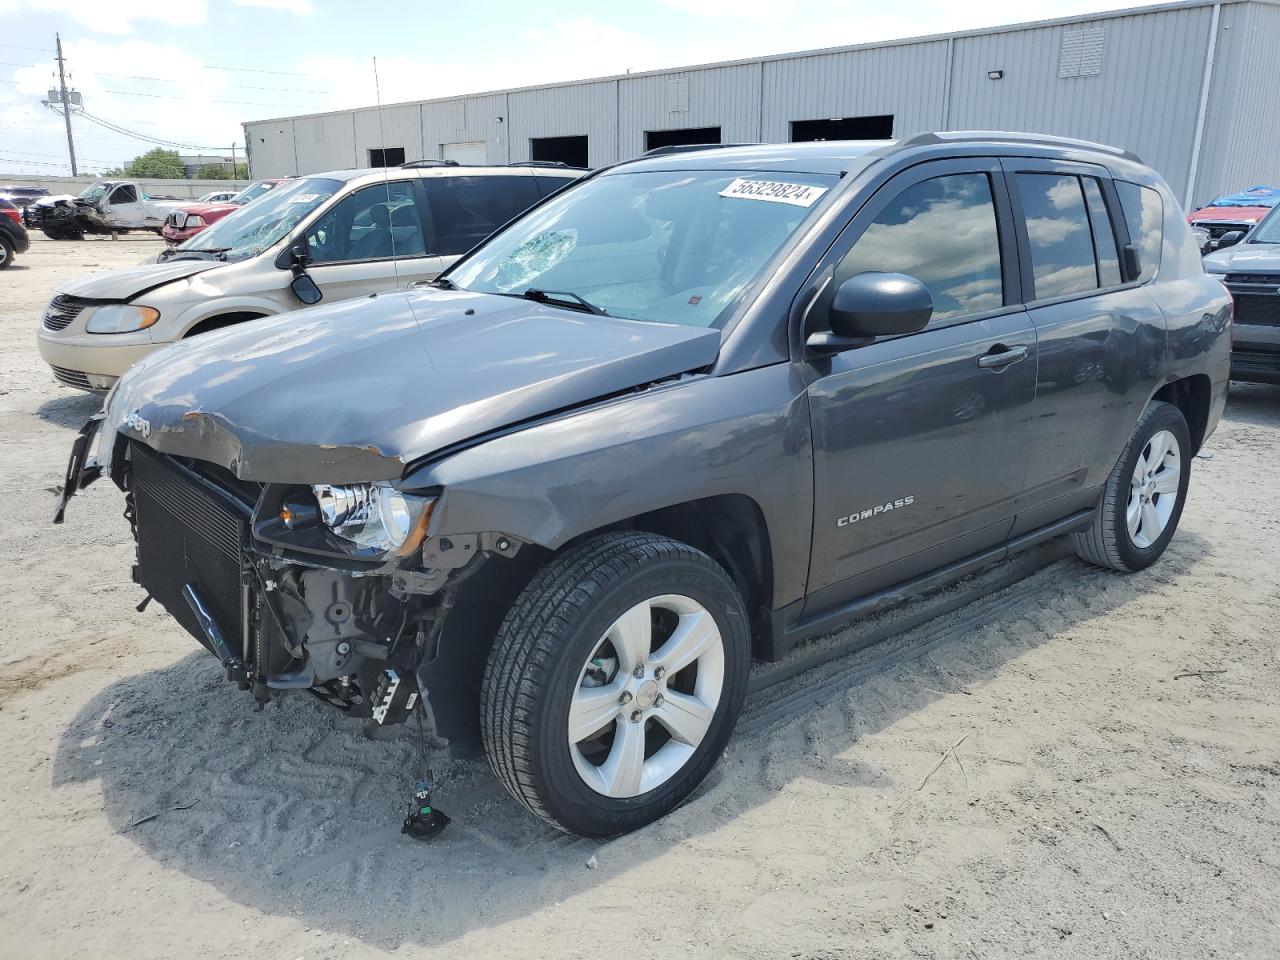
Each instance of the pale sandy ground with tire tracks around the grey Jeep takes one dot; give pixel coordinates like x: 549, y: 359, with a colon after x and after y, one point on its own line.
x: 1098, y: 804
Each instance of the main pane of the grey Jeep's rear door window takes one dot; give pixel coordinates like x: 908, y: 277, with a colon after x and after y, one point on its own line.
x: 1058, y: 228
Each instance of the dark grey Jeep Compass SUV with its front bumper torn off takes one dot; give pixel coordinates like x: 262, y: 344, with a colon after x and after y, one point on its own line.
x: 691, y: 412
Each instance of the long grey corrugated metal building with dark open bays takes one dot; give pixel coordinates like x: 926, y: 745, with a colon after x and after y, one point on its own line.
x: 1182, y: 85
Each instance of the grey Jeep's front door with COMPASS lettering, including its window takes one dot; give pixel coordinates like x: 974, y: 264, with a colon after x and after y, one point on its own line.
x: 921, y: 442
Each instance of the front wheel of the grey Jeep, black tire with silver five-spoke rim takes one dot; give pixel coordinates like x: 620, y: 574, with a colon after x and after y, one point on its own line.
x: 552, y: 651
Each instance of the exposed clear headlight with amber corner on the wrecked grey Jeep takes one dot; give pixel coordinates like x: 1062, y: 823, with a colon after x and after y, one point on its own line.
x: 376, y: 516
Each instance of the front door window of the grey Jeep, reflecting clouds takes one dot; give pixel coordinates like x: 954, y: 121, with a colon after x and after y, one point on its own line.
x: 943, y: 232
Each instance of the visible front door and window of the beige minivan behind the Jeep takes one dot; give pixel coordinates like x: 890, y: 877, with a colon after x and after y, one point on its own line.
x: 372, y: 241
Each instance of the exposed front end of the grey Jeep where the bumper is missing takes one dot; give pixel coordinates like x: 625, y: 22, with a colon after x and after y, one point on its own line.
x: 273, y: 625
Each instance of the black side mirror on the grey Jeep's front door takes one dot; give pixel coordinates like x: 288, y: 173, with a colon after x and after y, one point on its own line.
x: 874, y: 305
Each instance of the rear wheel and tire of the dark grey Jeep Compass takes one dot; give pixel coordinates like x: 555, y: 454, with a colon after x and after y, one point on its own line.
x: 1110, y: 542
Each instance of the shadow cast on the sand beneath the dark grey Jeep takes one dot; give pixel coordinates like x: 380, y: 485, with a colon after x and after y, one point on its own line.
x: 299, y: 813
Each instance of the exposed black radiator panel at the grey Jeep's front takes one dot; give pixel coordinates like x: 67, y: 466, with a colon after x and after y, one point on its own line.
x: 189, y: 532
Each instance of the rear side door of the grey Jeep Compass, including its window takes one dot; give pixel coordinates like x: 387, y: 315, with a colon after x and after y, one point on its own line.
x: 1101, y: 336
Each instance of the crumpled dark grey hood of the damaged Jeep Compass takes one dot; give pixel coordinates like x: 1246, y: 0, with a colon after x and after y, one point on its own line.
x: 359, y: 390
